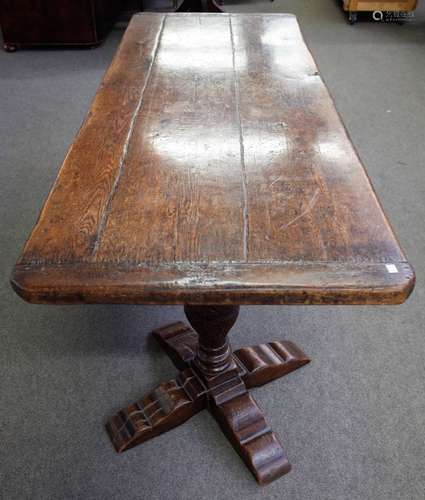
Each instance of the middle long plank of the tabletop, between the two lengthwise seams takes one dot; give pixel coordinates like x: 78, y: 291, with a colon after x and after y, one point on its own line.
x: 182, y: 199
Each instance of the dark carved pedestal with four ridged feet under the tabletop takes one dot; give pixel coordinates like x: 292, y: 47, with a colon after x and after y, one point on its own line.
x: 213, y: 377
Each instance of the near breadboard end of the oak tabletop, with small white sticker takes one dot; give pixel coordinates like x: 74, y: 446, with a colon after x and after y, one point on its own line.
x: 267, y: 283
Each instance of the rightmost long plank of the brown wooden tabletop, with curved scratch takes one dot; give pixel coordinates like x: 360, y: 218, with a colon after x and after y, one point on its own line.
x: 309, y: 198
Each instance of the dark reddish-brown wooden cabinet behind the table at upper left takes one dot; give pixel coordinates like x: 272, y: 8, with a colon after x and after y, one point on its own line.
x: 52, y: 22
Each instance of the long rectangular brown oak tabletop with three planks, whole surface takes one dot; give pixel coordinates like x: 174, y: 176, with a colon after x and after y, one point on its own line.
x: 212, y: 168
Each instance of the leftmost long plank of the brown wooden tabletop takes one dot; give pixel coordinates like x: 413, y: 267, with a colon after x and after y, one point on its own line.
x: 78, y: 204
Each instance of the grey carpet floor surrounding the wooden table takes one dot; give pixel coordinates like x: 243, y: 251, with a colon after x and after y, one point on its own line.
x: 353, y: 421
